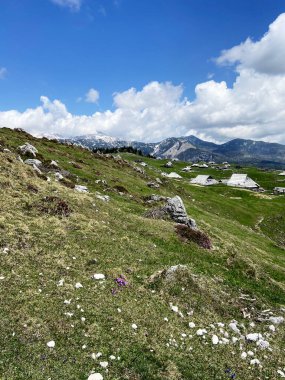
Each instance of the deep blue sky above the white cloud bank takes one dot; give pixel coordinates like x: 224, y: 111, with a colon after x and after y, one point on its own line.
x: 51, y: 48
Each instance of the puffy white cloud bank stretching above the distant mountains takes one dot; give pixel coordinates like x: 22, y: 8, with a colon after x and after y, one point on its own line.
x: 252, y: 108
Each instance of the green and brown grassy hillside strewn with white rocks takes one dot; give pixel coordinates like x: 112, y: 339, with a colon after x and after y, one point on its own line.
x: 247, y: 259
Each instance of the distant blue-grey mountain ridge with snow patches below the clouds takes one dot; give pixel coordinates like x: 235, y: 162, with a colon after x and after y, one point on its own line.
x: 191, y: 148
